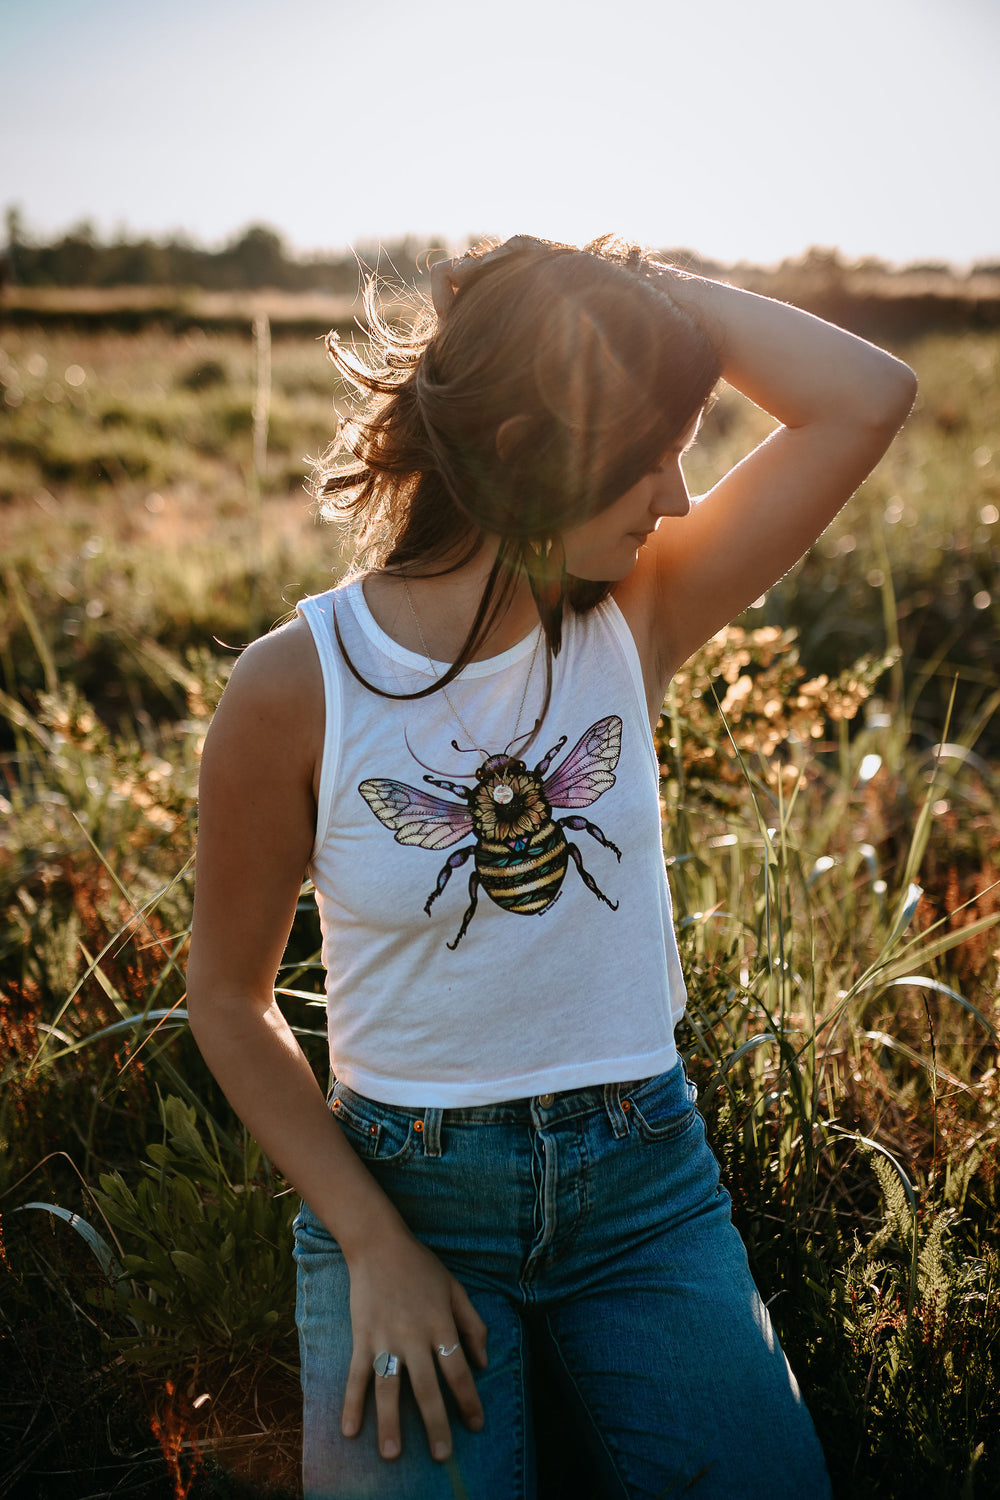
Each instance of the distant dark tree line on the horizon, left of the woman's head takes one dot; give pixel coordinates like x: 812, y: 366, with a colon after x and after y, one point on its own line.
x: 256, y: 257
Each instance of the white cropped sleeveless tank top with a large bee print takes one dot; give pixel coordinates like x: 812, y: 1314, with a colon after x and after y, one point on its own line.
x: 501, y: 937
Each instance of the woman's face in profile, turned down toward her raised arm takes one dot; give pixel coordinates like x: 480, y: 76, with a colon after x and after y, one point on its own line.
x: 606, y: 547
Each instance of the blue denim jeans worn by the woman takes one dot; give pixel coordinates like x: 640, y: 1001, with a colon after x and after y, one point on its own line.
x: 596, y: 1243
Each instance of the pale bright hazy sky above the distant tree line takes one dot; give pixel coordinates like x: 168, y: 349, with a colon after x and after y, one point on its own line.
x: 746, y: 133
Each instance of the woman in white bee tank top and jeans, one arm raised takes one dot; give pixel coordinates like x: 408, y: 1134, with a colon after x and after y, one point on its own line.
x: 452, y: 743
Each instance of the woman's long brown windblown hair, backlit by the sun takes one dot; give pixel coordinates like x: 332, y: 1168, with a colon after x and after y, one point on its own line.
x: 596, y: 373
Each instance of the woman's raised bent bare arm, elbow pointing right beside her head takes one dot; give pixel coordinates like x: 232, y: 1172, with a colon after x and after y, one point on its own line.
x: 840, y: 403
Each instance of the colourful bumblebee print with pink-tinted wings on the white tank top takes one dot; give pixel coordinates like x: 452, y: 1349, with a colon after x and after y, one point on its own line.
x: 521, y: 851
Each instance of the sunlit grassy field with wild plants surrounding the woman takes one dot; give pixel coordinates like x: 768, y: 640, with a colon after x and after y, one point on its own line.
x: 830, y: 776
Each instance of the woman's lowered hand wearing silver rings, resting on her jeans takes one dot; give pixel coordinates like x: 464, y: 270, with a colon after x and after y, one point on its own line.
x: 407, y: 1304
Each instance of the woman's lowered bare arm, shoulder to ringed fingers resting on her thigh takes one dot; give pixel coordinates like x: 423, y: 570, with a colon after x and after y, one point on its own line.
x: 257, y: 826
